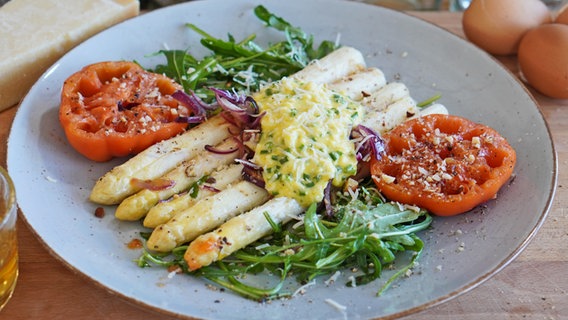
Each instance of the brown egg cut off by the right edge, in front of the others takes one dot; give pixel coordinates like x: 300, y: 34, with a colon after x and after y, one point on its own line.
x: 543, y: 59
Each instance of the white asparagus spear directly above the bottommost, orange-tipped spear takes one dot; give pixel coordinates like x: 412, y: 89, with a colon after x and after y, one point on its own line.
x: 192, y: 222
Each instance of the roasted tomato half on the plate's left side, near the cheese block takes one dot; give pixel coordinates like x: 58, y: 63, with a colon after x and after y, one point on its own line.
x: 116, y: 108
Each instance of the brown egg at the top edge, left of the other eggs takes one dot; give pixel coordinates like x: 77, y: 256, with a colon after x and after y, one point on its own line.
x: 497, y: 26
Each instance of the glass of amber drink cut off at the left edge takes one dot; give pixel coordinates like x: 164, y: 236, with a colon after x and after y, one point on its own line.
x: 8, y: 240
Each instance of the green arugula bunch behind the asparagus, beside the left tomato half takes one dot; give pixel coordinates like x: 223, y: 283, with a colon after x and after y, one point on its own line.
x: 245, y: 65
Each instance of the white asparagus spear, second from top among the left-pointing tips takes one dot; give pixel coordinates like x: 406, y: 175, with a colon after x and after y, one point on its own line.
x: 184, y: 175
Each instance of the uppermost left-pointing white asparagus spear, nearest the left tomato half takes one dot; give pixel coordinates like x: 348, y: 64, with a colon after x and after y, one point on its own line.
x: 158, y: 159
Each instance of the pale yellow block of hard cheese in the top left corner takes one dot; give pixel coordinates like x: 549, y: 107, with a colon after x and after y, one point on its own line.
x: 34, y: 34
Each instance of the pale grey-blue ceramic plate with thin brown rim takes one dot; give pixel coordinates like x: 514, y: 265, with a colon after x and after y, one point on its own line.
x: 53, y: 182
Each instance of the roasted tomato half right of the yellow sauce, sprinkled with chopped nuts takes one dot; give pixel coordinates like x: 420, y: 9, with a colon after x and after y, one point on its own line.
x: 443, y: 163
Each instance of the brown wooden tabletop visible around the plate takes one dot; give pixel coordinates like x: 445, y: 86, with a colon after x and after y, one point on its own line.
x: 534, y: 286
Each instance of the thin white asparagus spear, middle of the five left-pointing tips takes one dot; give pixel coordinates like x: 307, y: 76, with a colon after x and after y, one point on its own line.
x: 220, y: 180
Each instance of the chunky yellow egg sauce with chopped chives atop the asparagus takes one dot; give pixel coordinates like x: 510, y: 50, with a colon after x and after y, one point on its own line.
x: 305, y: 139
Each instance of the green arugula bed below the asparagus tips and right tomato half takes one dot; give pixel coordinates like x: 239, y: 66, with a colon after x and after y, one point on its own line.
x: 362, y: 235
